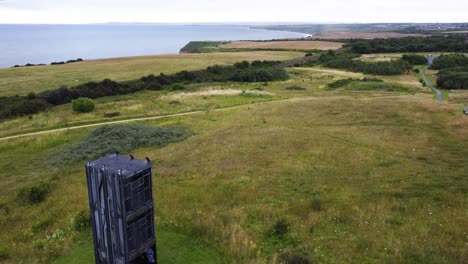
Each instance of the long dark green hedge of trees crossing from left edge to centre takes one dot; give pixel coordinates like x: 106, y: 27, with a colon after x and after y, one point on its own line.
x: 257, y: 71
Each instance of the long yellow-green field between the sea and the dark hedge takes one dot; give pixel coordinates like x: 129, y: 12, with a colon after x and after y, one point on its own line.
x: 36, y: 79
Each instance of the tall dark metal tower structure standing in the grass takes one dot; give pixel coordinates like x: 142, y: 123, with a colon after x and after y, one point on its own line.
x: 122, y: 210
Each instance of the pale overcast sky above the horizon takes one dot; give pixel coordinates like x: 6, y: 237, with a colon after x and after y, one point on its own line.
x: 183, y: 11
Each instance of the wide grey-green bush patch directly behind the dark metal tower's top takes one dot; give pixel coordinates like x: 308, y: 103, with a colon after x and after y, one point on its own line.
x: 120, y: 138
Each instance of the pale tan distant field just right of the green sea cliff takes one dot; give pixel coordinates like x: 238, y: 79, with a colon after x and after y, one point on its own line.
x: 298, y: 45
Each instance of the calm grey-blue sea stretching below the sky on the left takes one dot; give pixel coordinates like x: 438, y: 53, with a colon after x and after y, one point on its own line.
x: 21, y: 44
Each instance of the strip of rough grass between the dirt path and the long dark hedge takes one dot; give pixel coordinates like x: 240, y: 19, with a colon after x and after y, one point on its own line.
x: 197, y: 97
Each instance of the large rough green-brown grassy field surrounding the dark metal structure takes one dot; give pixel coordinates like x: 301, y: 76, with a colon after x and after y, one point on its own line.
x: 364, y: 177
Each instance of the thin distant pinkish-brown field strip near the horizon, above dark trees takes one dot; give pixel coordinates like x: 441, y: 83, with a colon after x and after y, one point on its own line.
x: 363, y: 35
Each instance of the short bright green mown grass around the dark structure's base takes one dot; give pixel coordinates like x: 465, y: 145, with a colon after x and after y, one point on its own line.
x: 172, y: 248
